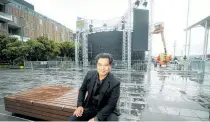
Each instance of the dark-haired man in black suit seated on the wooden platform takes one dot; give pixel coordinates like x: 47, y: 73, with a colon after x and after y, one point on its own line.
x: 103, y: 91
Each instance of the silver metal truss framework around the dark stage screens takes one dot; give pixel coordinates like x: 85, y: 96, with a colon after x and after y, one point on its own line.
x: 124, y: 24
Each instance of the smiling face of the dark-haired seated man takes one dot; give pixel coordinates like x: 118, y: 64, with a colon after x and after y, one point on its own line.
x: 103, y: 66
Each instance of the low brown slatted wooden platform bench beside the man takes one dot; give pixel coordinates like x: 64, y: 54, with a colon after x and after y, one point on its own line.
x: 54, y: 103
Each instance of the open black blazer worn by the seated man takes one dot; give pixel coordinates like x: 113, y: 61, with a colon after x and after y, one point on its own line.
x: 108, y: 93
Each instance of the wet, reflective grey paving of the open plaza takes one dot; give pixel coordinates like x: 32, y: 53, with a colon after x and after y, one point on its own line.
x: 168, y: 96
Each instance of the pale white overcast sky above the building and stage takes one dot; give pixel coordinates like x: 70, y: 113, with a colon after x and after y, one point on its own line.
x: 172, y: 12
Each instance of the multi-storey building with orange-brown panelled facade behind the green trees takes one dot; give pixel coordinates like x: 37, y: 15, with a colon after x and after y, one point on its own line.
x: 18, y: 19
